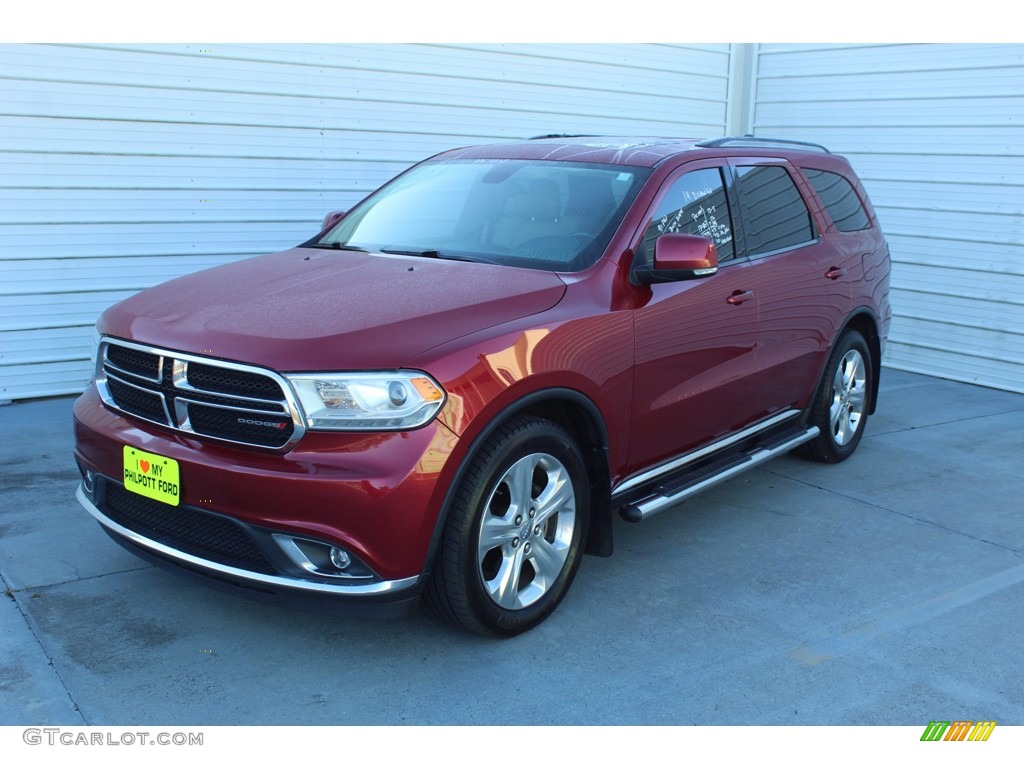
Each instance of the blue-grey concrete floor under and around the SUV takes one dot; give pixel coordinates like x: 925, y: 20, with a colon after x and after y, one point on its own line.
x: 887, y: 590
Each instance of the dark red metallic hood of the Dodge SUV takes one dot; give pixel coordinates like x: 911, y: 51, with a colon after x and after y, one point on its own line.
x: 310, y: 310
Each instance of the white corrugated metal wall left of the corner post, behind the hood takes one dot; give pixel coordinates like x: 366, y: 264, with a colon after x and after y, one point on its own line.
x: 122, y: 167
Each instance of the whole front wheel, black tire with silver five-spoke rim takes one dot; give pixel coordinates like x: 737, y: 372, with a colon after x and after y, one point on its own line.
x: 515, y: 535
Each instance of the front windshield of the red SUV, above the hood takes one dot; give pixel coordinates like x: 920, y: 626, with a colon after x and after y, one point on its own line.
x: 538, y: 215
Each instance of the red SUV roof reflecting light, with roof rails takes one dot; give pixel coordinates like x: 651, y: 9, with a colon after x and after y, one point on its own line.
x: 646, y: 152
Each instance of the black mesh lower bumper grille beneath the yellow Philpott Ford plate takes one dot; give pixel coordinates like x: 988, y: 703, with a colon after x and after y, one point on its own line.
x: 185, y: 529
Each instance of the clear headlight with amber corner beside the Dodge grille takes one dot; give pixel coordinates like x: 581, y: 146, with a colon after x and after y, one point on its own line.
x: 400, y: 400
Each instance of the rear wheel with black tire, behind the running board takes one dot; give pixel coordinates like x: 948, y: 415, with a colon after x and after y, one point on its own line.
x: 843, y: 402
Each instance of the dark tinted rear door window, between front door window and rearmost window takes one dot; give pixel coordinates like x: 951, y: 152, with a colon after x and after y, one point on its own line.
x: 776, y: 216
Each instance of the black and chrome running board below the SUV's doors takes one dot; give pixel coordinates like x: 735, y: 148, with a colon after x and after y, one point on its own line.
x: 702, y: 480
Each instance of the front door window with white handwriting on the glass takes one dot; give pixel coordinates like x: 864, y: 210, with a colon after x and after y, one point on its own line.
x: 695, y: 205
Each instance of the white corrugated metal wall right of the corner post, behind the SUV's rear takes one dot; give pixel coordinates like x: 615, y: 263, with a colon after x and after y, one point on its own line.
x: 937, y: 135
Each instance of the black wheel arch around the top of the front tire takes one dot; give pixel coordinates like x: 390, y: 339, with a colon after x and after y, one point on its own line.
x: 583, y: 420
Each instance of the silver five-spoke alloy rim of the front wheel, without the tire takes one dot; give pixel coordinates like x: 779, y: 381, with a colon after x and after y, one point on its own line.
x: 527, y: 531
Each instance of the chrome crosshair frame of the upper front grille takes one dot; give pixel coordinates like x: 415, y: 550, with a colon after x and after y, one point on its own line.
x: 180, y: 422
